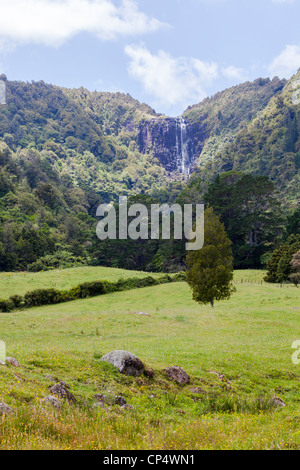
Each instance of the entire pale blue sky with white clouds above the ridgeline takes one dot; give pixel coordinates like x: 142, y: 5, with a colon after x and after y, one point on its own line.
x: 167, y: 53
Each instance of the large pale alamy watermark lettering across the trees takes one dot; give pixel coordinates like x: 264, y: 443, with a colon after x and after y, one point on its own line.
x: 137, y: 222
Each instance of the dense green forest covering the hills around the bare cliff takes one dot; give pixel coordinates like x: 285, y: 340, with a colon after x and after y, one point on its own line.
x: 63, y: 152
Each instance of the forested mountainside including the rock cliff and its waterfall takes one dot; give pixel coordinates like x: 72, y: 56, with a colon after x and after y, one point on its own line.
x: 63, y: 152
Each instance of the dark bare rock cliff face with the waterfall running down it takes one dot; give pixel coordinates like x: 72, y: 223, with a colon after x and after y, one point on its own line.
x: 169, y: 140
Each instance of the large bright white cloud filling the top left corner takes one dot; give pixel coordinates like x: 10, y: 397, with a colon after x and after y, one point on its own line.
x: 51, y: 22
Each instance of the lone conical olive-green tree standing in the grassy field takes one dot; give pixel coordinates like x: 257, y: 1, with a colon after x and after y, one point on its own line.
x: 210, y: 270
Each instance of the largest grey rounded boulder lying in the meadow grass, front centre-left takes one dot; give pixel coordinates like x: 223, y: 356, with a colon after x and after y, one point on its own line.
x: 126, y: 362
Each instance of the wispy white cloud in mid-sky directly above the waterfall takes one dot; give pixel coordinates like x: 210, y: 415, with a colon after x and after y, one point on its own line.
x: 175, y: 82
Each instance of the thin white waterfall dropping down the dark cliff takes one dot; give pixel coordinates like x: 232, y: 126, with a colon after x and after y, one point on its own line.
x: 183, y: 161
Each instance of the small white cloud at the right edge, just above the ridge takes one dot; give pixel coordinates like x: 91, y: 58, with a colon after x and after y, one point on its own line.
x: 286, y: 63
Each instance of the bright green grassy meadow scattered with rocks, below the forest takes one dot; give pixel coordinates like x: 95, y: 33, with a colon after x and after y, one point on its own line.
x: 238, y: 356
